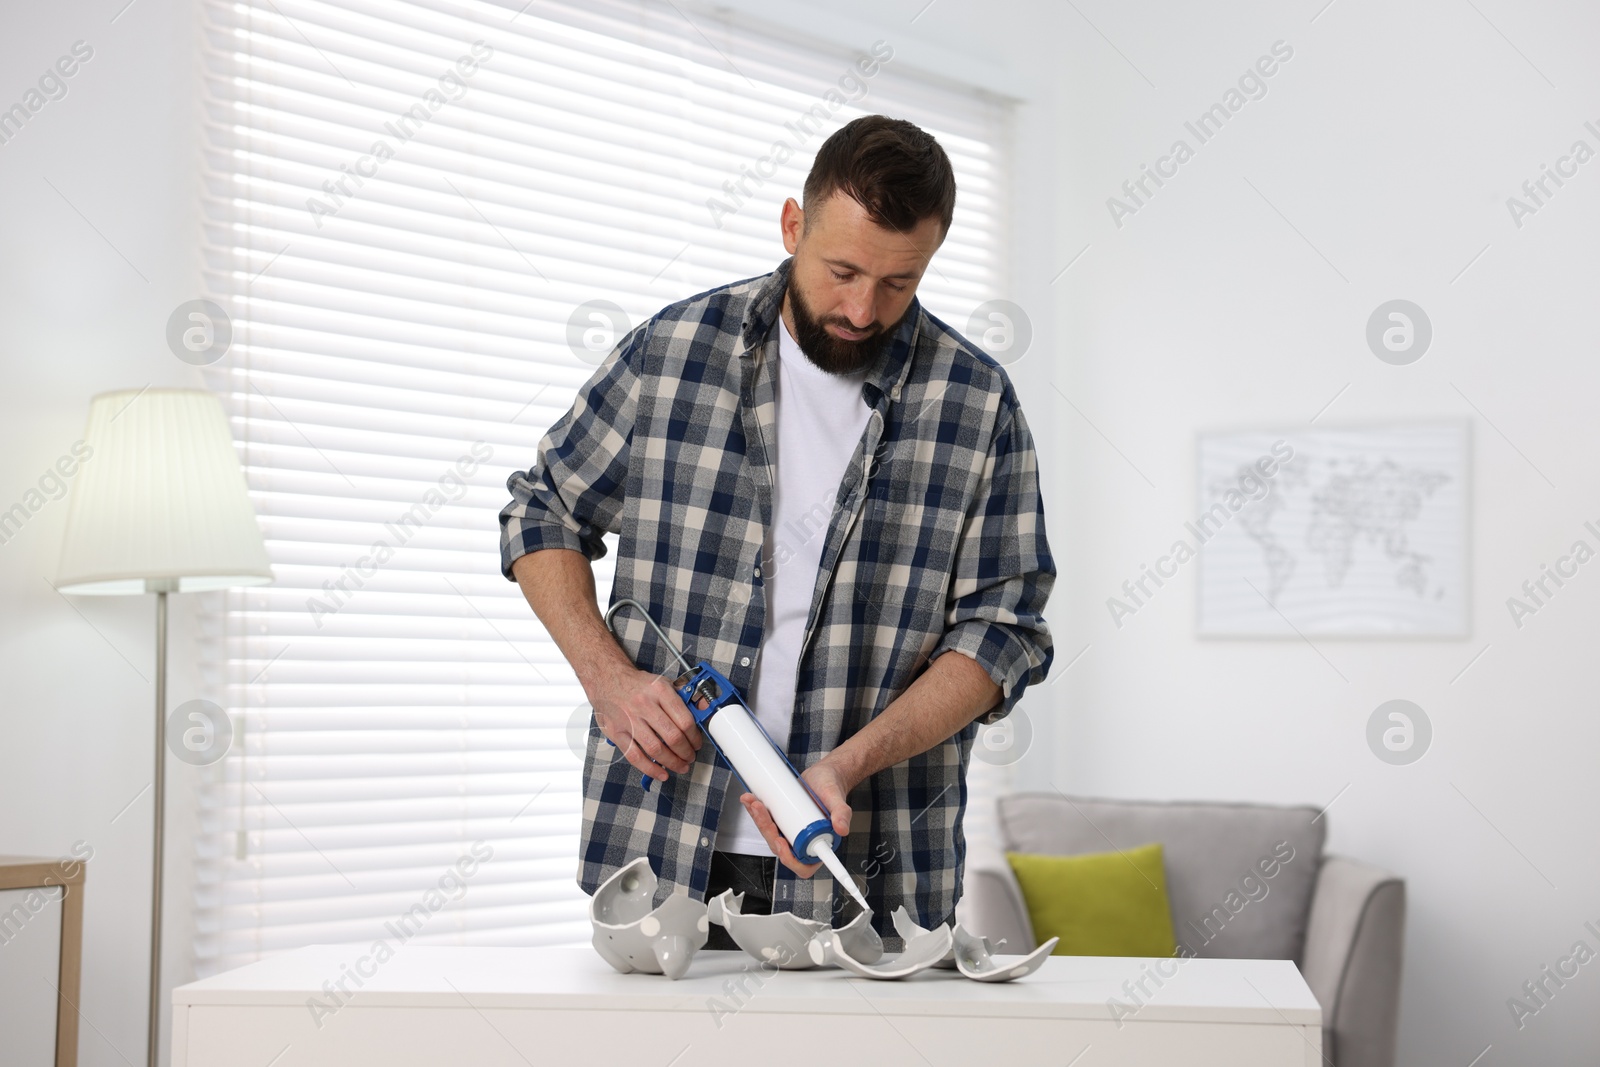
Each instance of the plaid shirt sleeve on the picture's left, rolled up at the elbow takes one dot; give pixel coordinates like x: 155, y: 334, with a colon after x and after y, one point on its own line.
x: 574, y: 492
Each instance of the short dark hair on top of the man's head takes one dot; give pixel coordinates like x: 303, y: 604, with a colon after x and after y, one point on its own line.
x: 890, y: 167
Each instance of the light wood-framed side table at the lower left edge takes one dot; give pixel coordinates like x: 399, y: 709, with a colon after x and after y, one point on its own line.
x: 31, y: 890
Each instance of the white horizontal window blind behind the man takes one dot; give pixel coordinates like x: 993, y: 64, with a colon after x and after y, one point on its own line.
x: 428, y: 222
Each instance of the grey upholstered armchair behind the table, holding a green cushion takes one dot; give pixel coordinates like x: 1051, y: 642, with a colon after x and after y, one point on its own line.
x: 1244, y: 882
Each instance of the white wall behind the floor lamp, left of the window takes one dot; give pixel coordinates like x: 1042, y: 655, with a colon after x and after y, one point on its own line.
x: 78, y: 319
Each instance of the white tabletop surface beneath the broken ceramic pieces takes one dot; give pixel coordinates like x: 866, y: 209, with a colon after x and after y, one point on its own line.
x: 577, y: 978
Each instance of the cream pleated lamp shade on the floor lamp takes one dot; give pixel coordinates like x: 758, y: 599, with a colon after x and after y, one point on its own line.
x: 161, y: 502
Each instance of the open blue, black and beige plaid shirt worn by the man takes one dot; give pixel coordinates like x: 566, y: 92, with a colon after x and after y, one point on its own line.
x: 937, y: 545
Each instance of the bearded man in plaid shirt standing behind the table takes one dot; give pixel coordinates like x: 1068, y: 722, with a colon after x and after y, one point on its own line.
x: 820, y: 490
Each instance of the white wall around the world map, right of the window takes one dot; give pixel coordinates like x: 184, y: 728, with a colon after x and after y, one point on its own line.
x: 1390, y: 142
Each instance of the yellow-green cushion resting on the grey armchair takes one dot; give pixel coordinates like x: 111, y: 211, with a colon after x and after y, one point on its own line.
x: 1100, y: 905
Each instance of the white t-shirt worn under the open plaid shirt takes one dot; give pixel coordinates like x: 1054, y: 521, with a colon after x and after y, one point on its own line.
x: 820, y: 423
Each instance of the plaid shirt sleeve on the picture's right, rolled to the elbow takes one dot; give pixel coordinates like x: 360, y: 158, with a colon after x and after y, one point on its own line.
x: 1004, y: 573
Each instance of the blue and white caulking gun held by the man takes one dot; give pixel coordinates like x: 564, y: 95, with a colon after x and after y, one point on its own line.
x: 756, y: 759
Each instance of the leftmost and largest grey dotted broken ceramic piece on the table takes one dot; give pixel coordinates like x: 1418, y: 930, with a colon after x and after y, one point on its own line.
x: 633, y: 935
